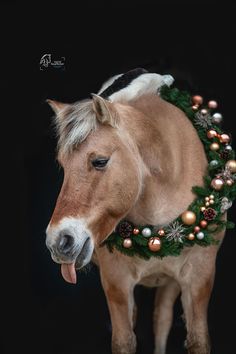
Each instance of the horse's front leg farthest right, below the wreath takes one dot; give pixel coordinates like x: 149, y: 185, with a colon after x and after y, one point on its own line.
x: 196, y: 286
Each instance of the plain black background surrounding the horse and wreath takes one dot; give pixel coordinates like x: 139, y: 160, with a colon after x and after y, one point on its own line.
x: 193, y: 41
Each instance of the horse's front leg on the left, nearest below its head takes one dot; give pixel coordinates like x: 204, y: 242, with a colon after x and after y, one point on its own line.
x: 120, y: 299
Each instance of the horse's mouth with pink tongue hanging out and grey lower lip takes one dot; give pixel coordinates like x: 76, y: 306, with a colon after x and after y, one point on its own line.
x: 68, y: 270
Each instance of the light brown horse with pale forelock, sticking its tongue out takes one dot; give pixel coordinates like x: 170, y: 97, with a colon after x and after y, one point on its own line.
x: 139, y: 160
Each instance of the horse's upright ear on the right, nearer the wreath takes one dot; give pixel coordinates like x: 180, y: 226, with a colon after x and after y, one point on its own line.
x: 104, y: 110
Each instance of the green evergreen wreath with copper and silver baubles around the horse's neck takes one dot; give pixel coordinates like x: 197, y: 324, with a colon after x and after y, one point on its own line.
x: 203, y: 218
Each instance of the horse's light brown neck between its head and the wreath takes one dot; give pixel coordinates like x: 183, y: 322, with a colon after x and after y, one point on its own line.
x: 175, y: 158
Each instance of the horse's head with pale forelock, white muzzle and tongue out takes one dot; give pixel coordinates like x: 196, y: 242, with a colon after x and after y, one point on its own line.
x: 102, y: 178
